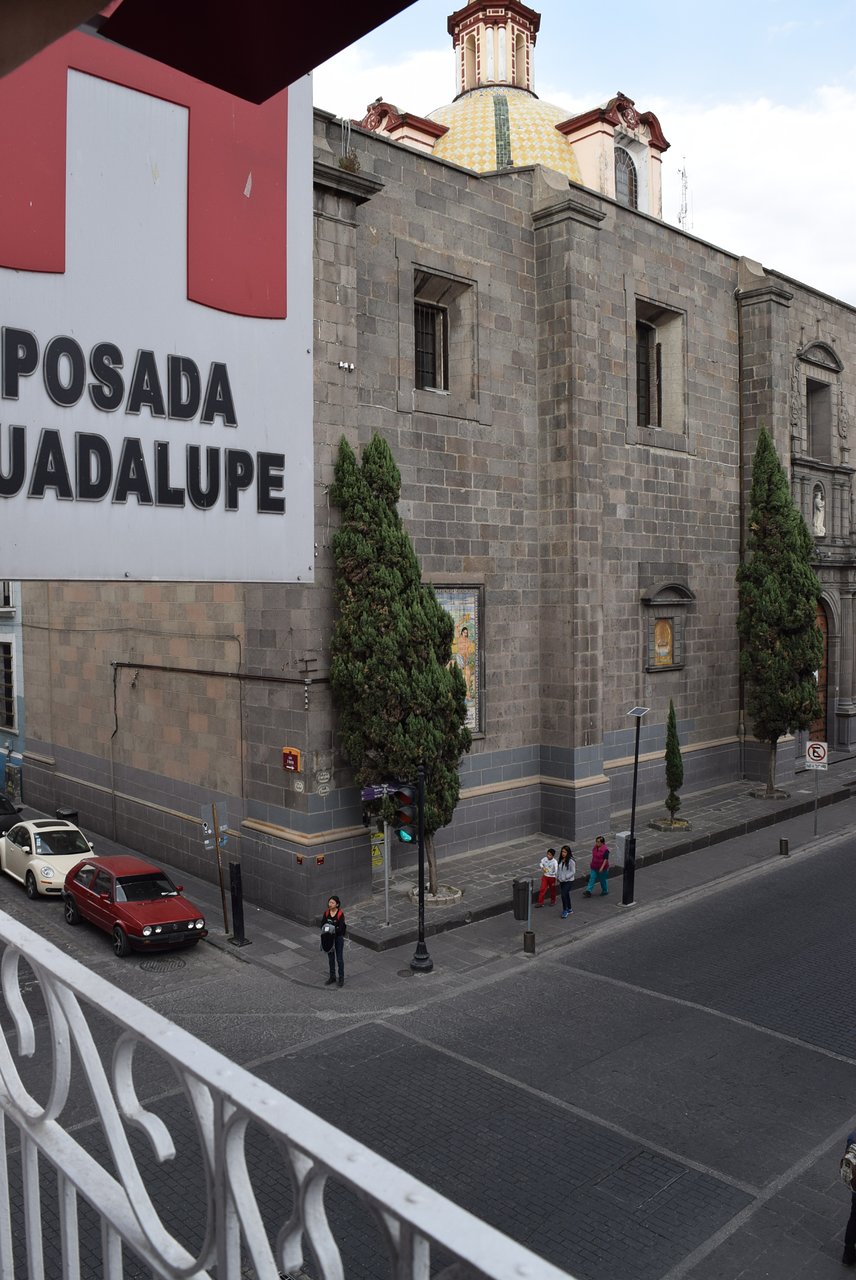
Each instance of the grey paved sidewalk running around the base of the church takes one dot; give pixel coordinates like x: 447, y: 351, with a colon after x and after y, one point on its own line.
x: 722, y: 843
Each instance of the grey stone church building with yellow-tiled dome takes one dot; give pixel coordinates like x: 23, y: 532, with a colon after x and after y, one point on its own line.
x: 573, y: 391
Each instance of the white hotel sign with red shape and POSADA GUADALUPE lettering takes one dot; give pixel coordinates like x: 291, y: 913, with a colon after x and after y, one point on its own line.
x: 155, y: 355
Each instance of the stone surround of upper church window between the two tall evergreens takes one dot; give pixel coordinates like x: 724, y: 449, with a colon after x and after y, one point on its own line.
x: 674, y: 321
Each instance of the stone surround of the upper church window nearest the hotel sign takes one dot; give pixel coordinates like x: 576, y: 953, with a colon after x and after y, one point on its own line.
x: 460, y: 286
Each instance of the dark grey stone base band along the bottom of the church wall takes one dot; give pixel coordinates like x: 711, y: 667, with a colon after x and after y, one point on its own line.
x: 162, y: 819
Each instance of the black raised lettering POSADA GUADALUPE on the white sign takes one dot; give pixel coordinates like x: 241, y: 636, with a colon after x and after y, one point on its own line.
x: 176, y: 473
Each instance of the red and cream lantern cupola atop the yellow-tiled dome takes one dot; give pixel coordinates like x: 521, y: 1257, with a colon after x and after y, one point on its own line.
x: 493, y: 45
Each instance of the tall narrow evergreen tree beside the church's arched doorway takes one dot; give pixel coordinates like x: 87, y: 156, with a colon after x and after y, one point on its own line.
x: 782, y: 647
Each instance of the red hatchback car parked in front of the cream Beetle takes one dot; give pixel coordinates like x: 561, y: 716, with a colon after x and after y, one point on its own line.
x: 132, y: 900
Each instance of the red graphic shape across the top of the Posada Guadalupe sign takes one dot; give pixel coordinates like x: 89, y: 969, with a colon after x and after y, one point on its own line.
x: 236, y: 244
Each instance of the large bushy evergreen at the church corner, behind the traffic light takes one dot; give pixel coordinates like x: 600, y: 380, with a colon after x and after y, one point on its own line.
x: 401, y: 701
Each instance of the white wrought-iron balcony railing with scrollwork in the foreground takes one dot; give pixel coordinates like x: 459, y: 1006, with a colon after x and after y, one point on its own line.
x: 99, y: 1181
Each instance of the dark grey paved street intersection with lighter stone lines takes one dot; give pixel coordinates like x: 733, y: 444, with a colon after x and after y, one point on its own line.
x: 657, y: 1094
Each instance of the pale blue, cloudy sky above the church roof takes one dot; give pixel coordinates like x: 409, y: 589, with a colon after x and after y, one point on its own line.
x: 757, y: 98
